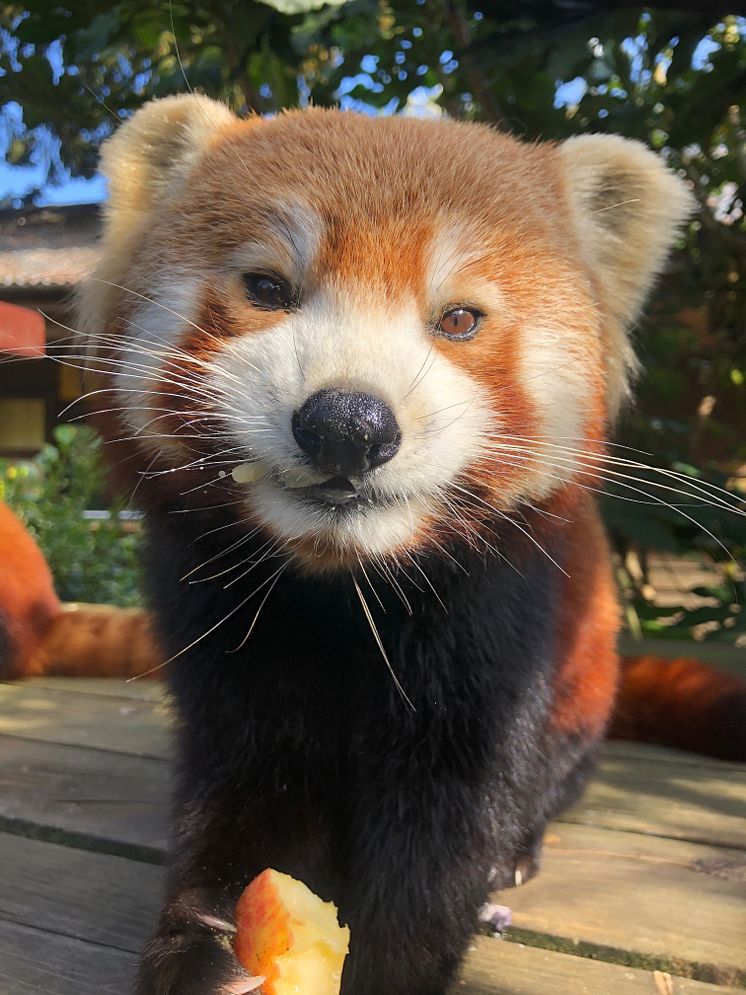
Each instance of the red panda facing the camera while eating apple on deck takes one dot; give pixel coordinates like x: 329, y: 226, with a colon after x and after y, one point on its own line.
x: 364, y: 371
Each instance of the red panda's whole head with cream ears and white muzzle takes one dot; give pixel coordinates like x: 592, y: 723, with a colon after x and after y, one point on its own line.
x: 387, y: 332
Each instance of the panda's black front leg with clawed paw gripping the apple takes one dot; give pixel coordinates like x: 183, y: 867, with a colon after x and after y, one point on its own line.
x: 224, y: 837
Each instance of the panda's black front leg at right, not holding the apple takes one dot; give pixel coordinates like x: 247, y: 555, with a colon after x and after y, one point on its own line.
x: 435, y: 802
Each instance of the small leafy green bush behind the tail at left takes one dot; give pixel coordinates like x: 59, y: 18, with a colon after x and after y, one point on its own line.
x: 90, y: 561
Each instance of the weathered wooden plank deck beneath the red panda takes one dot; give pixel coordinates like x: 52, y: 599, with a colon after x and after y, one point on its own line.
x: 643, y: 889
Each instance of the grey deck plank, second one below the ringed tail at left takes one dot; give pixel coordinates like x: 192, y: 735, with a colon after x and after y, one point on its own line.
x: 104, y: 801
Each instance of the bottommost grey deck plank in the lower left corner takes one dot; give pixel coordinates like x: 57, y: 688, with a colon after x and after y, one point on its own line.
x: 33, y: 962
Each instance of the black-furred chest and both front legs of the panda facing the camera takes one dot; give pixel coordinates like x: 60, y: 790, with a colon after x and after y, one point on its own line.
x: 396, y: 815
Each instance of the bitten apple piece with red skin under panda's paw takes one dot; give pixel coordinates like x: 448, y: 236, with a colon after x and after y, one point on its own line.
x: 290, y: 936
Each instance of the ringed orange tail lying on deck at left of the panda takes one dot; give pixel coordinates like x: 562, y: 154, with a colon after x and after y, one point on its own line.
x: 99, y: 641
